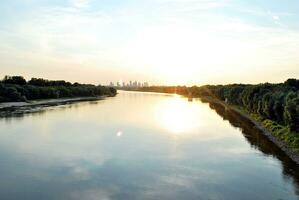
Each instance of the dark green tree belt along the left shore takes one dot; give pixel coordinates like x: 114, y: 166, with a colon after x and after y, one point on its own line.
x: 16, y: 88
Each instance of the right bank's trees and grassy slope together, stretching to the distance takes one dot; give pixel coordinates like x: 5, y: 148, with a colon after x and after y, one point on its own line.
x: 276, y: 106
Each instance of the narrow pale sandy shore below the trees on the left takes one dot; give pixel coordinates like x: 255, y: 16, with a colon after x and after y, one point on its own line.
x: 8, y: 107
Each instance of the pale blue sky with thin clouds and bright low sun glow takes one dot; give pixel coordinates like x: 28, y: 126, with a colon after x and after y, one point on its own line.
x: 169, y: 42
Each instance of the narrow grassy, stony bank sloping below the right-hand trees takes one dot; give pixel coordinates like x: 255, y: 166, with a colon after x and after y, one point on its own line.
x: 290, y: 152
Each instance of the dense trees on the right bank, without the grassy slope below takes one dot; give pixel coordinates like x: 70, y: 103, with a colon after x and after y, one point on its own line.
x: 276, y: 102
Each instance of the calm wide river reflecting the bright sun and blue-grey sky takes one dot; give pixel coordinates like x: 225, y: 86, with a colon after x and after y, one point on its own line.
x: 141, y: 146
